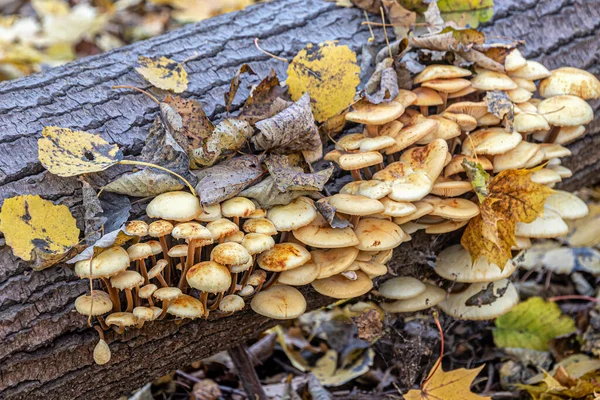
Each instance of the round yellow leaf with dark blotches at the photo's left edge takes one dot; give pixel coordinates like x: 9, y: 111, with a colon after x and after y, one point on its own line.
x: 36, y: 228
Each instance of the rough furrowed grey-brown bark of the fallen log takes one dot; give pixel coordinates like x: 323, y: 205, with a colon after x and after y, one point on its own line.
x: 45, y: 348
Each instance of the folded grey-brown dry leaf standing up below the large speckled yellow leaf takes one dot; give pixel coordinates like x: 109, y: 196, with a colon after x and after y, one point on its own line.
x: 291, y: 130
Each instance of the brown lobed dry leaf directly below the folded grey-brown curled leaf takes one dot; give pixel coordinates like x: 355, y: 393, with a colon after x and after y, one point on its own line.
x: 288, y: 177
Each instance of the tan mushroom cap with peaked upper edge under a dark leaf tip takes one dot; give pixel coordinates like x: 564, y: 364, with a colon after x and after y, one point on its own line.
x: 319, y: 234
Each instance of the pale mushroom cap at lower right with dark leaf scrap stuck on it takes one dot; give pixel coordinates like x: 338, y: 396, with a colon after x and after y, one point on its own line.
x: 506, y: 297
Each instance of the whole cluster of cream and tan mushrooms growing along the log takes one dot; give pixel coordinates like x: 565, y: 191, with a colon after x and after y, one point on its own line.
x: 407, y: 176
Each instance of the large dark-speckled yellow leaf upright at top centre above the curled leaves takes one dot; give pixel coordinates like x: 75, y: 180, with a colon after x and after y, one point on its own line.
x: 330, y: 75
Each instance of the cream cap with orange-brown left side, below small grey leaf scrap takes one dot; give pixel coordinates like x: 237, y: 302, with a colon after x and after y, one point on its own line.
x: 490, y: 141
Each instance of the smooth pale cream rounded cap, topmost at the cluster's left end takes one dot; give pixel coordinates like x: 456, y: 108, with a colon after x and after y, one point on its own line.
x: 175, y: 206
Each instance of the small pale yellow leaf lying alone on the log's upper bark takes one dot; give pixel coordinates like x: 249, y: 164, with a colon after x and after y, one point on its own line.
x: 163, y: 73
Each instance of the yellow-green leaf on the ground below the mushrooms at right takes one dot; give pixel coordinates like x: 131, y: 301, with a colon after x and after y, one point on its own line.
x: 532, y: 324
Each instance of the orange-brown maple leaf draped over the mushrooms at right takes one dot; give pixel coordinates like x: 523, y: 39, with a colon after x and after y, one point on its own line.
x: 511, y: 197
